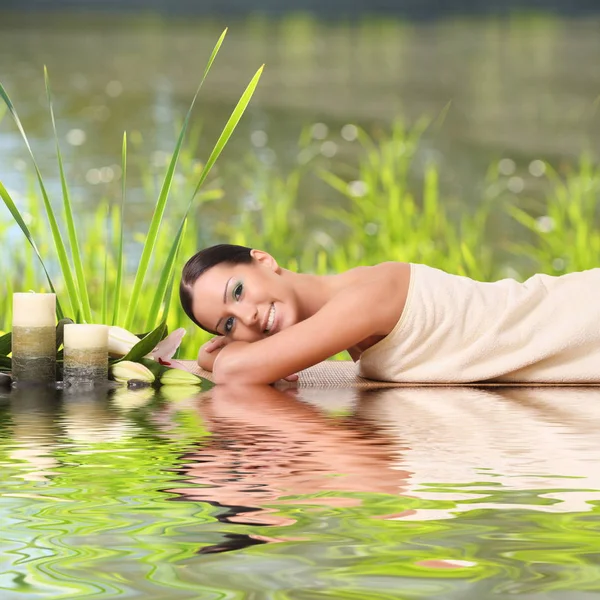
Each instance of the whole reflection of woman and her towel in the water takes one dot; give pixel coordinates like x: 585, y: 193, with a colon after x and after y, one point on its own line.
x: 463, y: 446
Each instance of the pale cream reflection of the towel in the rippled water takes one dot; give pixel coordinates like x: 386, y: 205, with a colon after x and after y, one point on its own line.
x: 519, y: 439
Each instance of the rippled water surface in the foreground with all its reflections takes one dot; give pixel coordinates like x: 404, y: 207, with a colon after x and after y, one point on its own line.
x: 268, y: 493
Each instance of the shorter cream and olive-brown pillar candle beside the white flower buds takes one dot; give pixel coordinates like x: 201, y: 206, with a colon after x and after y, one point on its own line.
x: 85, y: 354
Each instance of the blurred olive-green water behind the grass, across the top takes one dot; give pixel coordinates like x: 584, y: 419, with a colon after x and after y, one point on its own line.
x: 522, y: 85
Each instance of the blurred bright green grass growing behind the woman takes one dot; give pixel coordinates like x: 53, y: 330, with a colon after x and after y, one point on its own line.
x: 379, y: 215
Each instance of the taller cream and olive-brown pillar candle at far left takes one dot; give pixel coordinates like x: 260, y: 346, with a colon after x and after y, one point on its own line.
x: 34, y: 338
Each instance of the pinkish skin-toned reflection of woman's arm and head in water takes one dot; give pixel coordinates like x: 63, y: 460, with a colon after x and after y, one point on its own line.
x: 266, y: 445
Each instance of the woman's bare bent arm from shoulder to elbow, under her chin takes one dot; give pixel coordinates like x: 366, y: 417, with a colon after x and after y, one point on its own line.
x: 356, y: 313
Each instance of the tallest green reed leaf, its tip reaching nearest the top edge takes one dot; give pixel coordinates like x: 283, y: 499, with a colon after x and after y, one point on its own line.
x: 162, y: 202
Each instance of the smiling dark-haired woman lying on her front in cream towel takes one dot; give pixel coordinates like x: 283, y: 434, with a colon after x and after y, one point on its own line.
x: 402, y: 322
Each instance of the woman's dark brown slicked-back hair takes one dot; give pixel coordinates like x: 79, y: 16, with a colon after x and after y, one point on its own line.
x: 203, y: 261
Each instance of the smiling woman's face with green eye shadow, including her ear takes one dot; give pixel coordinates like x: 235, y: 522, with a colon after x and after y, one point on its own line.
x: 246, y: 302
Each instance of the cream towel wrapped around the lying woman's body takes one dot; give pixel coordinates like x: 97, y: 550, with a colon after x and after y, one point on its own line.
x: 457, y: 330
